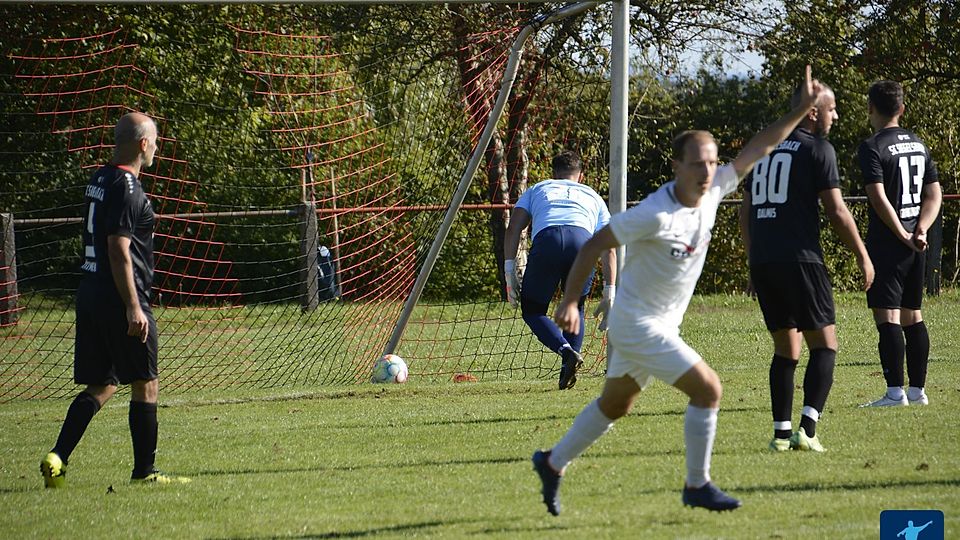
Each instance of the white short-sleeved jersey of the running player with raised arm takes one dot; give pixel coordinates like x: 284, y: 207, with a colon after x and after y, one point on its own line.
x: 666, y: 244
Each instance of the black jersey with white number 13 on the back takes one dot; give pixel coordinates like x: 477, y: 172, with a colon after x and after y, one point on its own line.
x: 896, y: 158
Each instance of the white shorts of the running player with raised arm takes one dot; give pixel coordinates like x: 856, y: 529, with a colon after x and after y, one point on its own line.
x: 650, y: 351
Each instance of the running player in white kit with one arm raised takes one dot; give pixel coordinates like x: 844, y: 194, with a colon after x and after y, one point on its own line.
x: 666, y: 238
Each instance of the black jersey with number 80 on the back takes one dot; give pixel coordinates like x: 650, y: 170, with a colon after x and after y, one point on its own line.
x: 784, y: 195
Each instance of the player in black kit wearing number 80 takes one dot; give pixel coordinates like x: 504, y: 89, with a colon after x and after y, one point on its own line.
x: 780, y: 225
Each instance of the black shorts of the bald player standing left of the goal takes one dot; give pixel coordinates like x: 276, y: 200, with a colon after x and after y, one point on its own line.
x: 103, y: 352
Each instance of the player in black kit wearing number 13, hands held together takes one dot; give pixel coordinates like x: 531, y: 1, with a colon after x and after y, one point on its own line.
x: 900, y: 179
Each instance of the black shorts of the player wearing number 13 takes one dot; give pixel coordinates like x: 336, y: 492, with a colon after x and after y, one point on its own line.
x: 899, y: 279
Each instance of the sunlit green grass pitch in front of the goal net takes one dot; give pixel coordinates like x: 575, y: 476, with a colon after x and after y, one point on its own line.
x: 452, y: 460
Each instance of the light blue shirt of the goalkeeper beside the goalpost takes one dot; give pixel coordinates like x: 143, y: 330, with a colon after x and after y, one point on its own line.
x: 564, y: 202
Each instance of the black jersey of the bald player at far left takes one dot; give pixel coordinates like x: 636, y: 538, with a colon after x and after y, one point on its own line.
x: 117, y: 205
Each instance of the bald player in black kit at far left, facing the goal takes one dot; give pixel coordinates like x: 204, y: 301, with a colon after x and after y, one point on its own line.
x: 116, y: 335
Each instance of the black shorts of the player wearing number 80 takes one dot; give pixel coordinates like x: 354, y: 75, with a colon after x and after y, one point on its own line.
x: 794, y: 295
